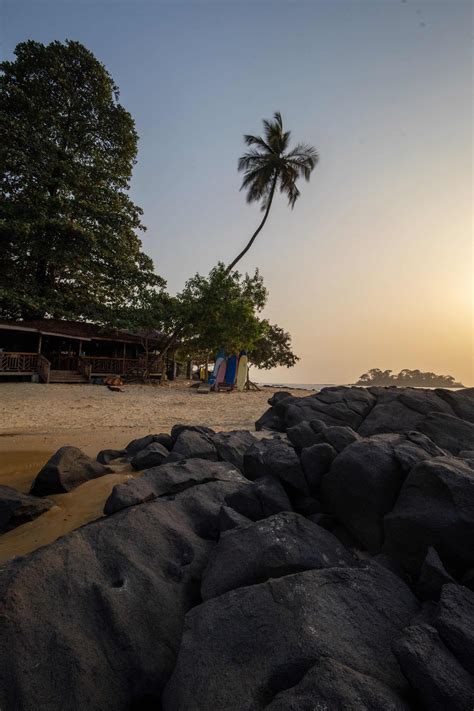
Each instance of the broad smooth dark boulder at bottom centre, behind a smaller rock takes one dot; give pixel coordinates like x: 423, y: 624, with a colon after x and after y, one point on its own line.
x: 262, y: 639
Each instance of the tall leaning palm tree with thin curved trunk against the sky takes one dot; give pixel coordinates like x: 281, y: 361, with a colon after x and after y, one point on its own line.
x: 270, y: 166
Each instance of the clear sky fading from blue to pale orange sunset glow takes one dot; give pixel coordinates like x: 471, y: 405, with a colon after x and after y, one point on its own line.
x: 374, y: 266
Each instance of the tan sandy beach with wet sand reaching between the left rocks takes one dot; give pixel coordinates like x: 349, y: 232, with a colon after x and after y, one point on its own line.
x: 35, y: 420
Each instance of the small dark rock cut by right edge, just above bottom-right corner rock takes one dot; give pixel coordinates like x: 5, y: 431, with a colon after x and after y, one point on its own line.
x: 454, y: 620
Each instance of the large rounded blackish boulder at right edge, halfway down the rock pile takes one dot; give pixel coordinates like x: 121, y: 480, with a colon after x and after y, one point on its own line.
x: 434, y: 509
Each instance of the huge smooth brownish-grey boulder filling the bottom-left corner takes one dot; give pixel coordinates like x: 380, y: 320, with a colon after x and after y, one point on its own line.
x: 94, y: 620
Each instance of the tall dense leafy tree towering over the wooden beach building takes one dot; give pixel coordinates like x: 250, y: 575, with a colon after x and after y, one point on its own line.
x: 68, y: 229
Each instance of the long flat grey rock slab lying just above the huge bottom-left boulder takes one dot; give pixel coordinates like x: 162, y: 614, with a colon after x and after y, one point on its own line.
x: 169, y: 480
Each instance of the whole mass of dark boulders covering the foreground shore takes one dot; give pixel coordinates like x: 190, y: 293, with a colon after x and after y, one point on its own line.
x: 329, y: 565
